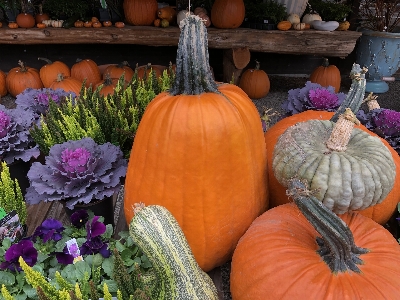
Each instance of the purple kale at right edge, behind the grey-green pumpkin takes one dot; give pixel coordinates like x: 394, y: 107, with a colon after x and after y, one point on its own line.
x: 385, y: 123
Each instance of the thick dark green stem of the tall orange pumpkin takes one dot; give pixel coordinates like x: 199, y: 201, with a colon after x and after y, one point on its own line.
x: 193, y: 75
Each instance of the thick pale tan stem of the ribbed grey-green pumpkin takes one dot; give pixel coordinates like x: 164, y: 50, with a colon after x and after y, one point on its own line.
x: 341, y: 132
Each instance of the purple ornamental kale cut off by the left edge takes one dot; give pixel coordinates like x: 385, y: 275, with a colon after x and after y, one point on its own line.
x: 15, y: 139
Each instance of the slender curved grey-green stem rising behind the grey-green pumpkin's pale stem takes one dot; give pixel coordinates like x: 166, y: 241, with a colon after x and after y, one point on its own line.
x: 356, y: 93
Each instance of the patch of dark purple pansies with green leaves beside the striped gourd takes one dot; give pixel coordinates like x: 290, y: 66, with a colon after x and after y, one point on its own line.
x: 46, y: 252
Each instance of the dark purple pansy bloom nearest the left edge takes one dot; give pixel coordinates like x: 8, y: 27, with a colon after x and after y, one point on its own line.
x: 23, y: 248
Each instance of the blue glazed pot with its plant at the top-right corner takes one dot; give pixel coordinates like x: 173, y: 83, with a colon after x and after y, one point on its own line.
x: 377, y: 47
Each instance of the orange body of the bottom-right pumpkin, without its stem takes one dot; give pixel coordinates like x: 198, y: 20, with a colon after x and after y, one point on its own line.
x: 277, y: 259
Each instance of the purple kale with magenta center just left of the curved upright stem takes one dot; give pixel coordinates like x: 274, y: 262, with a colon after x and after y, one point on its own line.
x: 312, y: 96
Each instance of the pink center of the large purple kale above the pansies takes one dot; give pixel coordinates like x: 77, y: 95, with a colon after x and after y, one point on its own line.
x: 75, y: 161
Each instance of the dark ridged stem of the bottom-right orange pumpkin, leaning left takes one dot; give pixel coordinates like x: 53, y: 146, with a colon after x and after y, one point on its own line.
x: 336, y: 244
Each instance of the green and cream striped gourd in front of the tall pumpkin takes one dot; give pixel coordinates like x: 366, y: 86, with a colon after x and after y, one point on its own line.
x: 157, y: 233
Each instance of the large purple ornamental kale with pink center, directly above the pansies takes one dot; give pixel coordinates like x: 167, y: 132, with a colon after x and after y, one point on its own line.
x: 78, y: 172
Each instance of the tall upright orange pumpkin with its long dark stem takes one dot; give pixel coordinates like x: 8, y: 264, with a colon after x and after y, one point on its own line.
x: 199, y: 151
